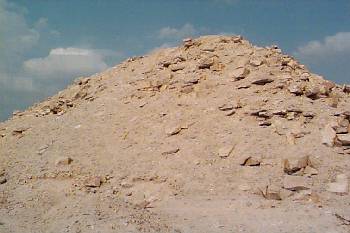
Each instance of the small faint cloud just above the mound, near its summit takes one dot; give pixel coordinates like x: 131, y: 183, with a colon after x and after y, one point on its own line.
x: 177, y: 33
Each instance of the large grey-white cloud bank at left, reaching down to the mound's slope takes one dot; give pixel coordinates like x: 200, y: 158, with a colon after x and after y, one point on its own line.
x: 22, y: 82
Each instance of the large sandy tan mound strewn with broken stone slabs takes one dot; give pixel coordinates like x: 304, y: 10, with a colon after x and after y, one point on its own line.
x: 216, y: 135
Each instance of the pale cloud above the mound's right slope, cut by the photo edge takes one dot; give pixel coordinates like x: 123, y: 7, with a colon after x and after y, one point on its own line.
x: 330, y: 46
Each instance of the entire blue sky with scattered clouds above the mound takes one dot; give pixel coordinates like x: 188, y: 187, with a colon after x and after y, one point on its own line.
x: 44, y: 45
